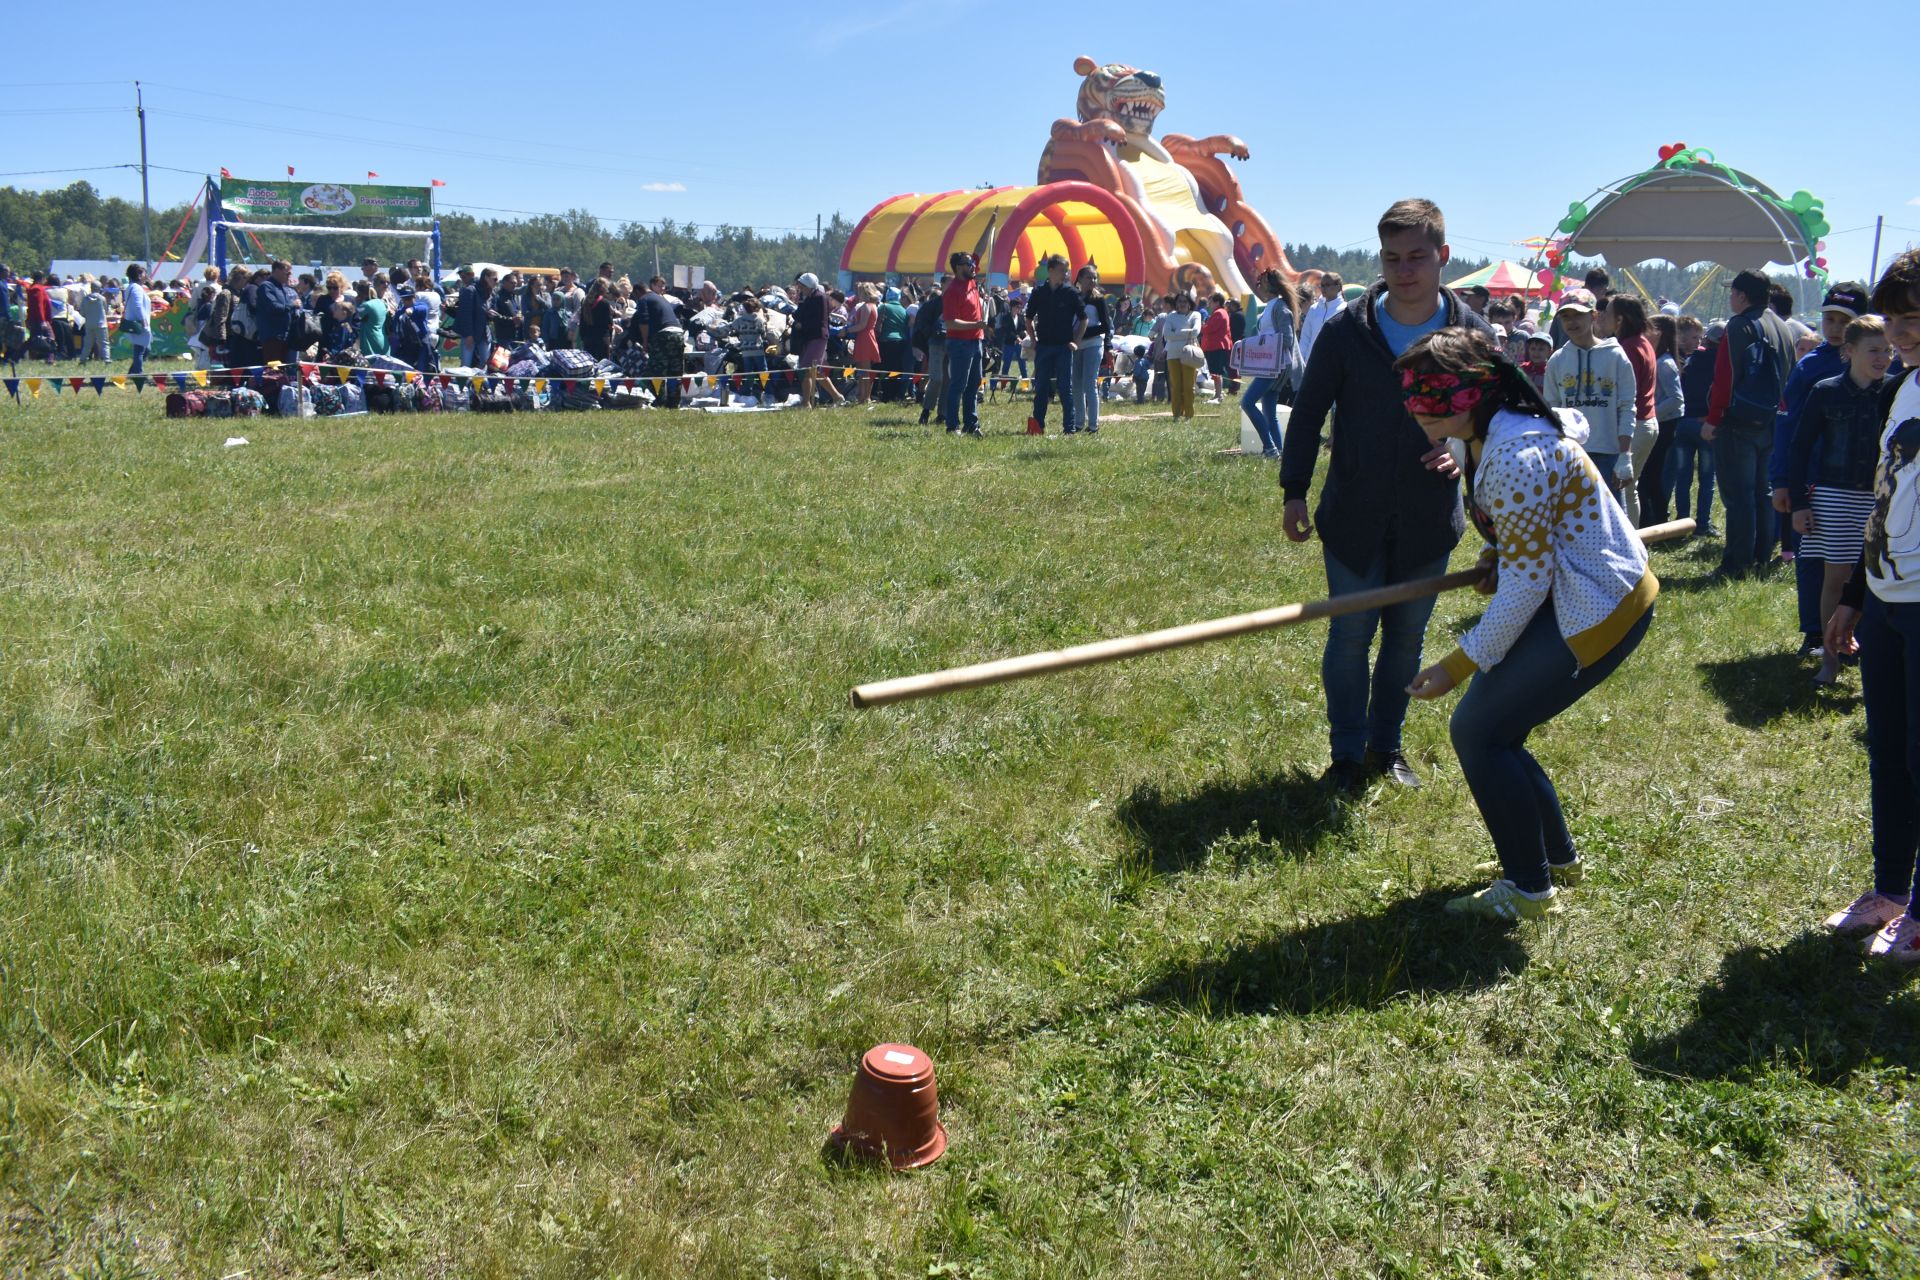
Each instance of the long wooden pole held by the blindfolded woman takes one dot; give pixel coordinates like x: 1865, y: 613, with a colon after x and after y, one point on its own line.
x: 1003, y: 671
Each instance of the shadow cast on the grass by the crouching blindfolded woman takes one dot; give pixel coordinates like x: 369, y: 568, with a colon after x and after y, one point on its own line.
x: 1412, y: 947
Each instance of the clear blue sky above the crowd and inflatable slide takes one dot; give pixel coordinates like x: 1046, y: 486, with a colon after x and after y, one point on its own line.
x: 769, y: 114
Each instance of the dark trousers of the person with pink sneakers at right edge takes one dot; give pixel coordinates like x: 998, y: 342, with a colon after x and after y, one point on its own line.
x: 1890, y: 686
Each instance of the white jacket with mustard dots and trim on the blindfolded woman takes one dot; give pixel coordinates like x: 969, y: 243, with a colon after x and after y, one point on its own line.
x: 1562, y: 538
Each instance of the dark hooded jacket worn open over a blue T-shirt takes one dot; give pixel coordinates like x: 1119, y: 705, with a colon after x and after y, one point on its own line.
x: 1378, y: 498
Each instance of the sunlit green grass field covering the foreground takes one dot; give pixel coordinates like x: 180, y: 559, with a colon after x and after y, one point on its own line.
x: 441, y: 847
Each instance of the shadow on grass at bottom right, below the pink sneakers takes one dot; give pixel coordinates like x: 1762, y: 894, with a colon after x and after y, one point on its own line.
x: 1813, y: 1007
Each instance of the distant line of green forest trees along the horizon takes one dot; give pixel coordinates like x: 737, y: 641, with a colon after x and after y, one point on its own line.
x: 76, y: 222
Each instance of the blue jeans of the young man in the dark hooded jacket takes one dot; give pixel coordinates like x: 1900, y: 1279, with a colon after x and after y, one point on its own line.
x: 1356, y: 721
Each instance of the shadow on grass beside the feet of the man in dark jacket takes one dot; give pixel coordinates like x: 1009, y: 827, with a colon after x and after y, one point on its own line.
x: 1172, y: 834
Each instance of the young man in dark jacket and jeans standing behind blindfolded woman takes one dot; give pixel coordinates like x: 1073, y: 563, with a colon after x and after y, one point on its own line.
x: 1391, y: 506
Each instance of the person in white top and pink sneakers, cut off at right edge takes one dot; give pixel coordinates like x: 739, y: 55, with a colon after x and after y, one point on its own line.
x: 1881, y: 609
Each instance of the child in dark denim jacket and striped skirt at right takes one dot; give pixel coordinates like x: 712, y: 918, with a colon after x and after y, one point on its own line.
x: 1831, y: 465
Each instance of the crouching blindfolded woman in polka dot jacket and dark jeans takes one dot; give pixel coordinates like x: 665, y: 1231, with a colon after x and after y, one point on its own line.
x: 1572, y: 588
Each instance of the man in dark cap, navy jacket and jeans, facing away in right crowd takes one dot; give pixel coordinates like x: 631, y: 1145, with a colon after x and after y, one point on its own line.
x: 1740, y: 423
